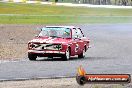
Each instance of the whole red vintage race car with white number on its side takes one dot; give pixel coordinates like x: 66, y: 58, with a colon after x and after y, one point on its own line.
x: 58, y: 41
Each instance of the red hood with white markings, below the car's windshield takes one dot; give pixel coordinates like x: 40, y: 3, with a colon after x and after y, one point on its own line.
x: 50, y: 40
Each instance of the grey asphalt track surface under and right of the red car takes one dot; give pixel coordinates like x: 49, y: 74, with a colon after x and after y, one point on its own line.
x: 110, y: 52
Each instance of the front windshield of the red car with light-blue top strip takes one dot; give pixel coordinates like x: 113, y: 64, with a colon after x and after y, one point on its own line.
x: 55, y: 32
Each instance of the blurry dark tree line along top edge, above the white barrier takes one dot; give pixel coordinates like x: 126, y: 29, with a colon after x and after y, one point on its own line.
x: 98, y: 2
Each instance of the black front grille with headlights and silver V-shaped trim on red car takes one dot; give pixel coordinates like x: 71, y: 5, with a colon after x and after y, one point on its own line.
x: 36, y: 46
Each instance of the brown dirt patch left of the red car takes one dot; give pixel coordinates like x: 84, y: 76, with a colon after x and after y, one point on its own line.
x: 14, y: 39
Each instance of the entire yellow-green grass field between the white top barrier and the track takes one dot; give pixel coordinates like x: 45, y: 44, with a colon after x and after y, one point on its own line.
x: 51, y: 14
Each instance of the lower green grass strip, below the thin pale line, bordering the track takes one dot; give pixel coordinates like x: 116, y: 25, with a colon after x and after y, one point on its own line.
x: 61, y: 19
